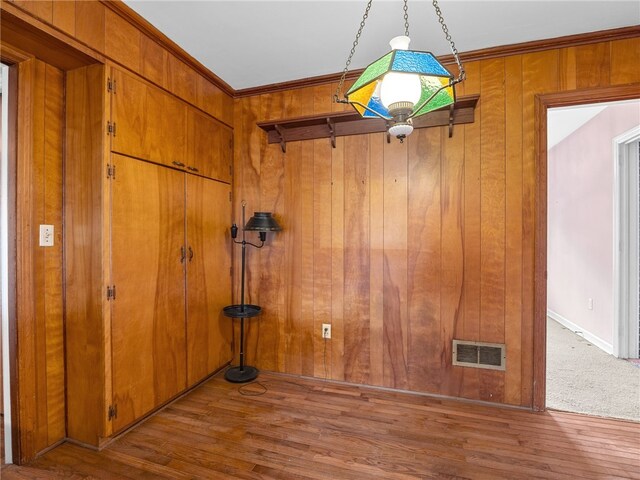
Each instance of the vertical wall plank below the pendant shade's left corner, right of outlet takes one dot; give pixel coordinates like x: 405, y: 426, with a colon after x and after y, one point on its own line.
x: 356, y: 259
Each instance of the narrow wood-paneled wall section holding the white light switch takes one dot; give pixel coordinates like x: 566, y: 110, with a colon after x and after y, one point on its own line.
x: 39, y: 291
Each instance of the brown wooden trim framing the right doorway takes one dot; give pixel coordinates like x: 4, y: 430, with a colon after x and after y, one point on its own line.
x: 542, y: 103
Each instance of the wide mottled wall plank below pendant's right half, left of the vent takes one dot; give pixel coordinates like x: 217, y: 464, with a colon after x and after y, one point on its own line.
x: 424, y: 255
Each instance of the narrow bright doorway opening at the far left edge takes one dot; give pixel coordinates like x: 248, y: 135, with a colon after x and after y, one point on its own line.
x: 6, y: 454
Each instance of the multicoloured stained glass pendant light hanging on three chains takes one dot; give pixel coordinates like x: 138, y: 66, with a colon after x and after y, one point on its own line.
x: 402, y: 84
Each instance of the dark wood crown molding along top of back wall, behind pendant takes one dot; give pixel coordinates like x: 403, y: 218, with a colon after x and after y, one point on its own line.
x: 471, y: 56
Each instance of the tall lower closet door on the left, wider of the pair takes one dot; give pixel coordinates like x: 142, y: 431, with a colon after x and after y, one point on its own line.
x: 148, y: 313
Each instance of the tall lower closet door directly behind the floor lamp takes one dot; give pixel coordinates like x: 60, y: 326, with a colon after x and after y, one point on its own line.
x: 208, y: 276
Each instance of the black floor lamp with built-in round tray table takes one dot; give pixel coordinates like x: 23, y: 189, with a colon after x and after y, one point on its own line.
x: 261, y: 222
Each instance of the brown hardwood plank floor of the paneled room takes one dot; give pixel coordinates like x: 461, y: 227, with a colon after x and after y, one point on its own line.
x: 309, y: 429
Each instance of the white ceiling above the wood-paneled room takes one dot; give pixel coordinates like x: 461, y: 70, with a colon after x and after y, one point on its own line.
x: 253, y: 43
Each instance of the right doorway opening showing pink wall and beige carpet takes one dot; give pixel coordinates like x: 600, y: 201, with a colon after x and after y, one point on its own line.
x: 593, y: 187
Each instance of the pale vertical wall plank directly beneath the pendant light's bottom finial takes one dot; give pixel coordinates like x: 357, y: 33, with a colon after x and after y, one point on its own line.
x: 396, y: 322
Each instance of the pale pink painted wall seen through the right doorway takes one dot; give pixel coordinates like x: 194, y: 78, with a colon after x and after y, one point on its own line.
x: 580, y: 221
